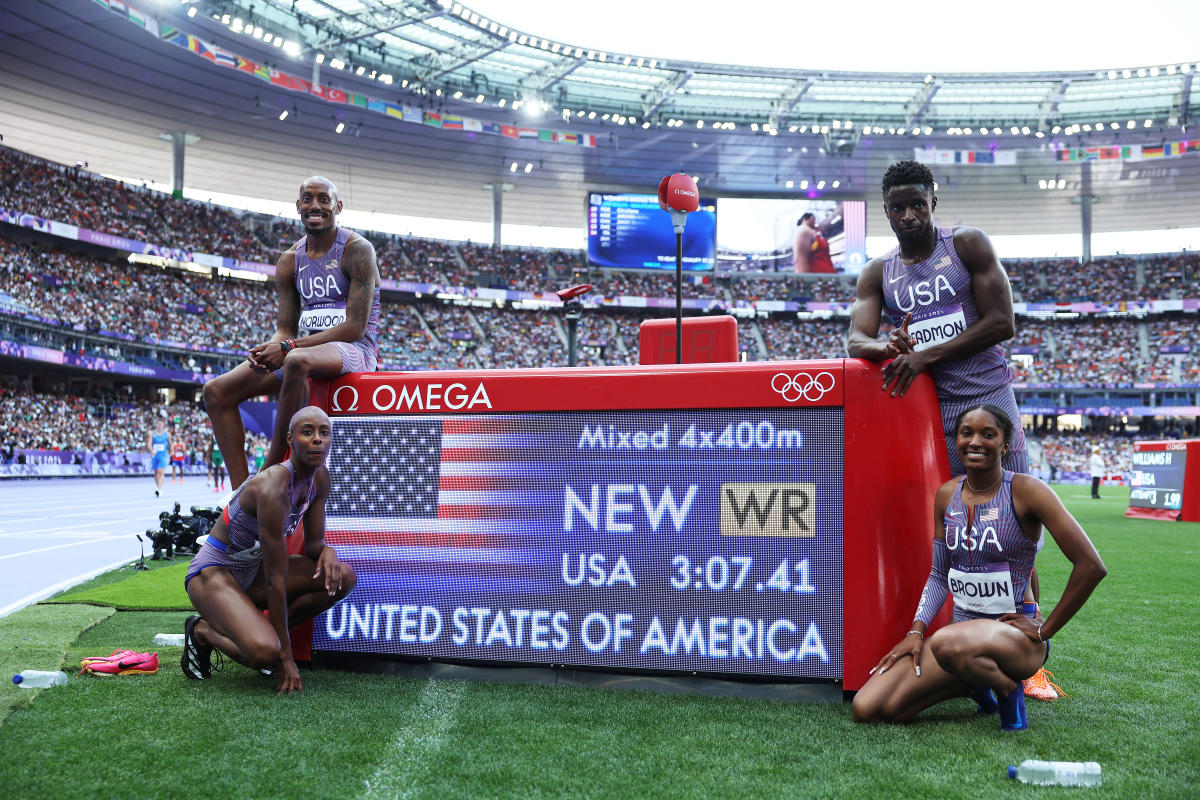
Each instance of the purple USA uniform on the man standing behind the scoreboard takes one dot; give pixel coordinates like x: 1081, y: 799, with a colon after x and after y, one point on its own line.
x: 938, y: 292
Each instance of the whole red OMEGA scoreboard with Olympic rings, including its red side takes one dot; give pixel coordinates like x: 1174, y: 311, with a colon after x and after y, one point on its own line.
x: 688, y: 519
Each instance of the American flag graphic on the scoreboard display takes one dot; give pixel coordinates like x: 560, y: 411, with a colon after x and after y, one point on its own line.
x: 427, y: 498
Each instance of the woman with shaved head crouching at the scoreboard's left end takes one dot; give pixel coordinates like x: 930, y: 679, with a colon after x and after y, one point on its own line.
x: 245, y: 568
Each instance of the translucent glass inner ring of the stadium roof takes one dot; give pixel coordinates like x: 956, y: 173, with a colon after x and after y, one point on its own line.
x: 442, y: 50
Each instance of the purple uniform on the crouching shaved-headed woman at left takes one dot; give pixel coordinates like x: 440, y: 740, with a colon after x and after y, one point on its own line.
x: 244, y: 554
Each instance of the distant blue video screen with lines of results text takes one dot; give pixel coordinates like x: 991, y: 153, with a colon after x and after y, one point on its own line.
x: 631, y: 231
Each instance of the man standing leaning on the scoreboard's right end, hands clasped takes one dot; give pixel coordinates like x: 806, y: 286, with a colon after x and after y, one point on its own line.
x: 951, y: 304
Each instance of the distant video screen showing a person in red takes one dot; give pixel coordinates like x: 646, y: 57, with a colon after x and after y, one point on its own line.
x: 763, y: 233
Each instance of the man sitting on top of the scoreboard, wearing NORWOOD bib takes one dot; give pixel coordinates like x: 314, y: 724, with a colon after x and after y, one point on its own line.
x: 328, y: 288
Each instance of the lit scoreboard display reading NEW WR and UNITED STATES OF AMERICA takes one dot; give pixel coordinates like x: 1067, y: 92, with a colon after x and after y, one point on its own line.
x: 704, y: 542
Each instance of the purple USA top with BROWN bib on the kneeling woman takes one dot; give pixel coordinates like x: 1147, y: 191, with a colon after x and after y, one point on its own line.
x: 985, y: 562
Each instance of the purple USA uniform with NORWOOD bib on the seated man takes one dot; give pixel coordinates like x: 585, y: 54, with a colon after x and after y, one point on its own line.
x: 323, y: 290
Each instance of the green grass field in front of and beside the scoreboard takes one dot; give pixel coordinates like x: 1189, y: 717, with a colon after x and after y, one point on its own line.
x: 1129, y: 661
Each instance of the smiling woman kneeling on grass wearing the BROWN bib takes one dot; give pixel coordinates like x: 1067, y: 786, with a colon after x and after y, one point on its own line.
x: 987, y: 532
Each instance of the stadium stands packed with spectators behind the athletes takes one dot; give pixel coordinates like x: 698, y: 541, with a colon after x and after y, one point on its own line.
x: 83, y: 299
